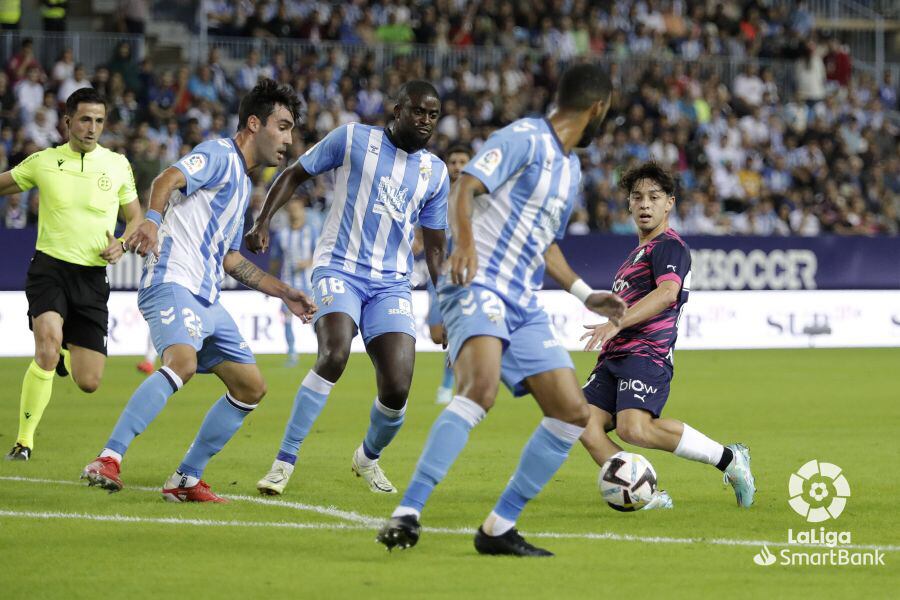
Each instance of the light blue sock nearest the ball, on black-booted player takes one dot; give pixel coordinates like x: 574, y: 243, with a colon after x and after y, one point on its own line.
x: 542, y: 457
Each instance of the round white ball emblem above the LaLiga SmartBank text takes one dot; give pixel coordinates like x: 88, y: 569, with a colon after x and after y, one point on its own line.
x: 818, y: 491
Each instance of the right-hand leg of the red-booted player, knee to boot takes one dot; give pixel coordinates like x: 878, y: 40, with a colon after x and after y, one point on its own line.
x: 224, y: 418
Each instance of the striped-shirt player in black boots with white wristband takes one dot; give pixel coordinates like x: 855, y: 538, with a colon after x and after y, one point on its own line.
x: 526, y: 177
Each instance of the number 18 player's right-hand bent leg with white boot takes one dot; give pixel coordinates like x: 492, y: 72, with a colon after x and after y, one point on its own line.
x: 393, y: 355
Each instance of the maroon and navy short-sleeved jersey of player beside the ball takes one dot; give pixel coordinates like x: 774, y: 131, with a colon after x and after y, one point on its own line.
x: 664, y: 258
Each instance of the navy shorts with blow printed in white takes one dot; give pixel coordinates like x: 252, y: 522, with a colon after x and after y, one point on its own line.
x: 630, y: 382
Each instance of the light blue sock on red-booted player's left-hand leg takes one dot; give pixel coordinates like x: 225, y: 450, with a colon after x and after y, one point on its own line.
x: 145, y: 404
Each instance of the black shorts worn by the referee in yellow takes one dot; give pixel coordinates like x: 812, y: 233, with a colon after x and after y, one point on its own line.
x: 78, y: 293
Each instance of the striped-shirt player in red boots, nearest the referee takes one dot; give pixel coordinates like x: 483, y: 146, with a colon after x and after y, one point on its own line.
x: 190, y: 243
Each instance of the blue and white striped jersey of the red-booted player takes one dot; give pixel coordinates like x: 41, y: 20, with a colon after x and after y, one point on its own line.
x: 205, y: 221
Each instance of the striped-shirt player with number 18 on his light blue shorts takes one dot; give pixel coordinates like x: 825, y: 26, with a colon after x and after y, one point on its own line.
x: 386, y: 183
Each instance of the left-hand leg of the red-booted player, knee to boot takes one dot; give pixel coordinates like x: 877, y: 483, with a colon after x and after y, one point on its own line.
x: 145, y: 404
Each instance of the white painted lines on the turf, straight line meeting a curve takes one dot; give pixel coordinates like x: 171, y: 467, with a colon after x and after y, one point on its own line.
x: 361, y: 522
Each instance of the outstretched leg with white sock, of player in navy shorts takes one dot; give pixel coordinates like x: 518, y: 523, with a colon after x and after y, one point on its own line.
x: 638, y: 427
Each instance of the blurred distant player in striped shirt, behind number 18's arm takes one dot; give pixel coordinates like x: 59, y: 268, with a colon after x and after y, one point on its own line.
x: 291, y: 256
